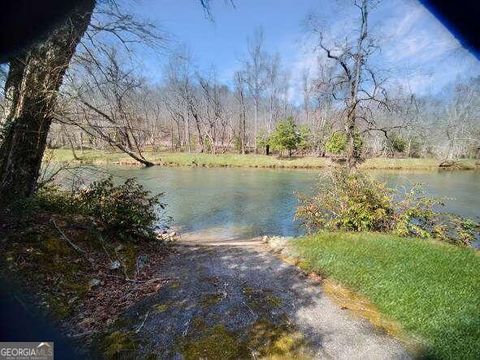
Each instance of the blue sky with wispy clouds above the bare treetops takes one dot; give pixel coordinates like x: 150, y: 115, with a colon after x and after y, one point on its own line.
x: 417, y: 50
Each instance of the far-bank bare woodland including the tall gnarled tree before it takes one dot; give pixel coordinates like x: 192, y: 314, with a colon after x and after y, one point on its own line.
x: 108, y: 101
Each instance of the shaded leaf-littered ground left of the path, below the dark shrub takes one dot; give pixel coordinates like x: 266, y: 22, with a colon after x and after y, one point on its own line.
x: 64, y: 267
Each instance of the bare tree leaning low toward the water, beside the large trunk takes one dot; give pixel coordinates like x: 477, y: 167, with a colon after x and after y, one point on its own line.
x: 105, y: 104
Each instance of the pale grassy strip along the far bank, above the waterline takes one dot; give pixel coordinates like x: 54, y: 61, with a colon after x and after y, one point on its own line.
x: 95, y: 157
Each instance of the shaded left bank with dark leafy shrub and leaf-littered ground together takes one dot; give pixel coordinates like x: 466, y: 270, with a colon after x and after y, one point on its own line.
x: 82, y: 257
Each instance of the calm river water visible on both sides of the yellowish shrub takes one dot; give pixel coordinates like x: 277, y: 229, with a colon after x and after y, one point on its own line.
x: 232, y: 203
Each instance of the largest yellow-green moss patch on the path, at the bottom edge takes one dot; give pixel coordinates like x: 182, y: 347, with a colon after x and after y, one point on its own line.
x: 265, y: 338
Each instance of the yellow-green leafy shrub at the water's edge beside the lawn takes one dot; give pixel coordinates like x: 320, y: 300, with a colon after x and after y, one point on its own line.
x: 357, y: 202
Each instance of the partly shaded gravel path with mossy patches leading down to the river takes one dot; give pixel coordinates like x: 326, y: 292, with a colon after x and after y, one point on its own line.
x: 236, y: 300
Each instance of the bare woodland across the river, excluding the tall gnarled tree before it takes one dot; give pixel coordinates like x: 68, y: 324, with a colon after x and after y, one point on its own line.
x: 194, y: 112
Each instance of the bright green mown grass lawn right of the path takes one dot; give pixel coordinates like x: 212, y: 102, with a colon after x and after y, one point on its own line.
x: 431, y: 289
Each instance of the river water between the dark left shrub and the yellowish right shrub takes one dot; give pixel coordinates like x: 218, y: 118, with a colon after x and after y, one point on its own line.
x: 231, y: 203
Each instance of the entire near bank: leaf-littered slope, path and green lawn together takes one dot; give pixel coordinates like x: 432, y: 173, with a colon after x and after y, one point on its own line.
x: 235, y: 299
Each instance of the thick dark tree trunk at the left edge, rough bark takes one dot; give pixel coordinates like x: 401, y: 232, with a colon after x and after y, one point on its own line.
x: 31, y: 88
